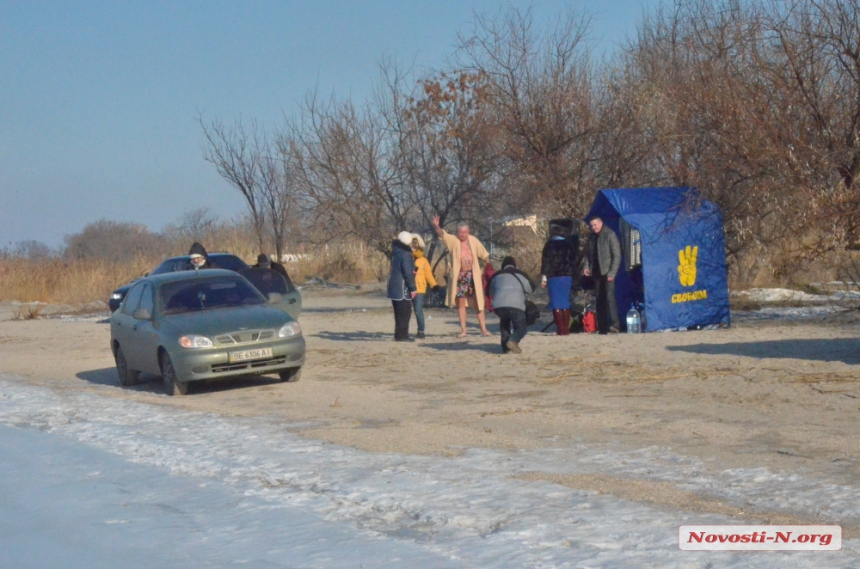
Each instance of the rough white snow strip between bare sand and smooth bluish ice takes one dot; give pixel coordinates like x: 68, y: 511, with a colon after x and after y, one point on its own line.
x: 469, y: 511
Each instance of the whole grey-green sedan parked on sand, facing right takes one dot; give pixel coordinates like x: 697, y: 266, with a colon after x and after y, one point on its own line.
x: 198, y: 325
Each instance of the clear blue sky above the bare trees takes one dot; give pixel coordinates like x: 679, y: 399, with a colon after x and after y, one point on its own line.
x: 98, y: 100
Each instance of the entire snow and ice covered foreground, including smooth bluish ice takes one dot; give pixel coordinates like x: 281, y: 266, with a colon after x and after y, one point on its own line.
x: 90, y: 481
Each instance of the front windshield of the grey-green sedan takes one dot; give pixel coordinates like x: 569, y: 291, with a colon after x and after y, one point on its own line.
x: 207, y: 294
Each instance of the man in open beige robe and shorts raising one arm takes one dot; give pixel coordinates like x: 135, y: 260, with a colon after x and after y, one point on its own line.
x: 465, y: 287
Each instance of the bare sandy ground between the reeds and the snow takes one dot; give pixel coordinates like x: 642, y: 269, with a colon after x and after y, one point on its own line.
x: 775, y: 395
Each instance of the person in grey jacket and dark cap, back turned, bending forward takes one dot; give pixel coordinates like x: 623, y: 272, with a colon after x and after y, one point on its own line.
x: 509, y: 288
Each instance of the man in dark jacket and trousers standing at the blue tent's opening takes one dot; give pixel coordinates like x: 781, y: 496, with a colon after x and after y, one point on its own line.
x: 602, y: 261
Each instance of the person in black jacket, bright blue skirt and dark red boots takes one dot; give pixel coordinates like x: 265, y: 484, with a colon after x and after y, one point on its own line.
x: 558, y: 265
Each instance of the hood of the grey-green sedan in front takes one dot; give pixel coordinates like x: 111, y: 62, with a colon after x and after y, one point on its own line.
x: 223, y: 320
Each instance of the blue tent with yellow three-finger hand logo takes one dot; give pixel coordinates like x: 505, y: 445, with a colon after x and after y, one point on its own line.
x: 683, y: 278
